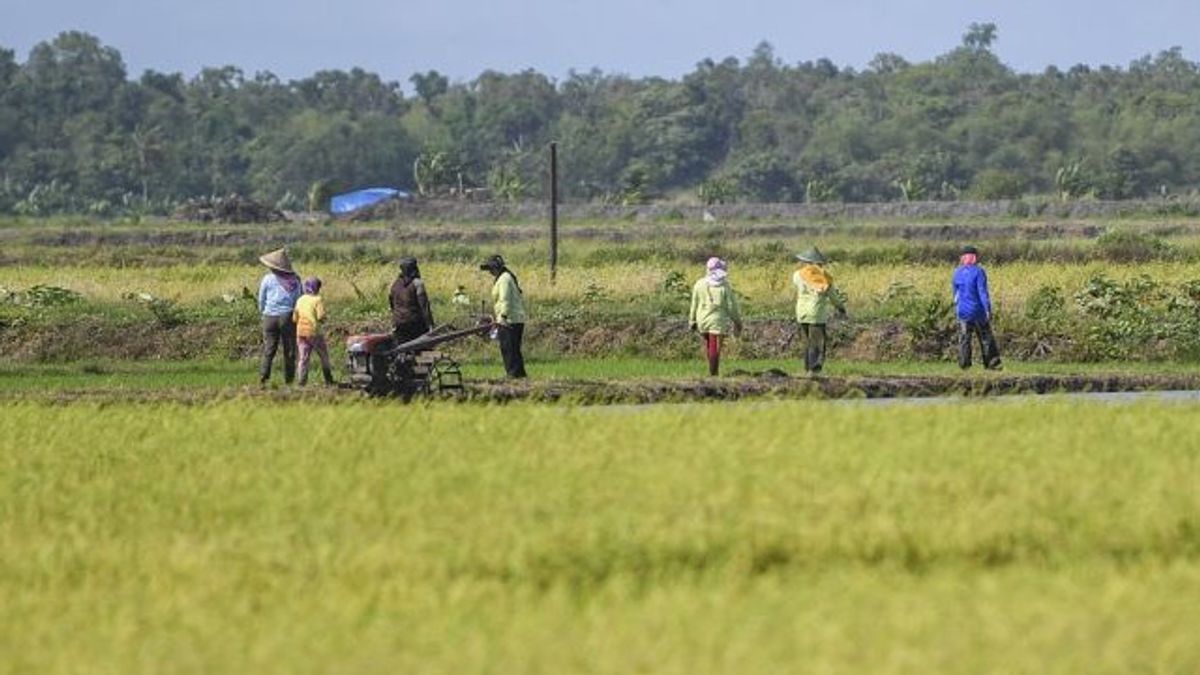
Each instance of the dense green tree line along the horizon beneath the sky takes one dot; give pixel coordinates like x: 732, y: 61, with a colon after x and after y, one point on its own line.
x: 77, y: 135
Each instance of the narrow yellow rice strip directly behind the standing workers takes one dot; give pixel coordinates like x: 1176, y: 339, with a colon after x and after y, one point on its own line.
x: 767, y: 286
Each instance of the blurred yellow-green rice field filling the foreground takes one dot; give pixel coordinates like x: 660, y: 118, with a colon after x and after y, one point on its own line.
x: 296, y: 539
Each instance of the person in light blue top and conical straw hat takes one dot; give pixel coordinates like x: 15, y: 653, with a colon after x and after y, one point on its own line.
x: 278, y: 297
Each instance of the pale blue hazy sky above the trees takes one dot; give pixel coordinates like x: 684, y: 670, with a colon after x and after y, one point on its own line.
x: 667, y: 38
